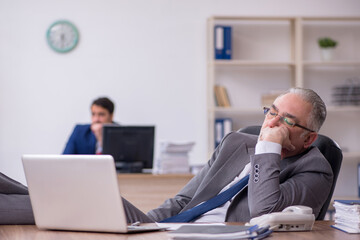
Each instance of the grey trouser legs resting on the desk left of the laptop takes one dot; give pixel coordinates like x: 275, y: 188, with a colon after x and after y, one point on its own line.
x: 15, y: 206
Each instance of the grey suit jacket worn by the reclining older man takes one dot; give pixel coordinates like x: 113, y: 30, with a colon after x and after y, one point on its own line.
x: 274, y: 183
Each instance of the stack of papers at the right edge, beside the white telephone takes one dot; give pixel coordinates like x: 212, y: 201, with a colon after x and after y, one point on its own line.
x: 347, y: 215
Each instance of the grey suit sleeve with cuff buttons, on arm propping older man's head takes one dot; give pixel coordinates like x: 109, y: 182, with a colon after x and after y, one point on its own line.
x: 307, y: 183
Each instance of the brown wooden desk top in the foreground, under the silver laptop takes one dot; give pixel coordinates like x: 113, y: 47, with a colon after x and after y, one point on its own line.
x: 321, y: 230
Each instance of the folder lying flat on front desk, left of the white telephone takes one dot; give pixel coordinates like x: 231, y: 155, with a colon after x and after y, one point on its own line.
x: 198, y: 231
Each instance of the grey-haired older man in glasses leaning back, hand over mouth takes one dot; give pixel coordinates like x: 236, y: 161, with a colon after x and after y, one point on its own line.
x: 282, y: 166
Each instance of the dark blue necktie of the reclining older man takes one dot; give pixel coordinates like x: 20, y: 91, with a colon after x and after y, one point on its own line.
x: 191, y: 214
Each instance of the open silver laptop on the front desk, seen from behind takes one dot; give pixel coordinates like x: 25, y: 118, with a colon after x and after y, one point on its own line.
x: 77, y: 193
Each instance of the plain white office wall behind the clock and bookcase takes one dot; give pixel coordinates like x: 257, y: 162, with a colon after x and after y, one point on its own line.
x: 148, y: 56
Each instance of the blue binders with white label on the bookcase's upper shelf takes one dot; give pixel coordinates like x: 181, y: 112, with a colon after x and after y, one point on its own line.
x: 222, y: 42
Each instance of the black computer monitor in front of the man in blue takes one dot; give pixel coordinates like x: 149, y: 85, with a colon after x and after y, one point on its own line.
x: 132, y: 147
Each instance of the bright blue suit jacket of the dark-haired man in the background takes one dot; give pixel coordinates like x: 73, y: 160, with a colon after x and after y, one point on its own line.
x: 81, y: 141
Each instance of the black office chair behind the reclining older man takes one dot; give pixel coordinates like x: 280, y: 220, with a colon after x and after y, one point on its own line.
x: 331, y: 151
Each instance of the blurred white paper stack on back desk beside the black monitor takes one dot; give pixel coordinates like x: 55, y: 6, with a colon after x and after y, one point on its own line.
x: 174, y: 157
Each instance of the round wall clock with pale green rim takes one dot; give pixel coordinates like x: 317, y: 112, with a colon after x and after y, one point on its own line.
x: 62, y: 36
